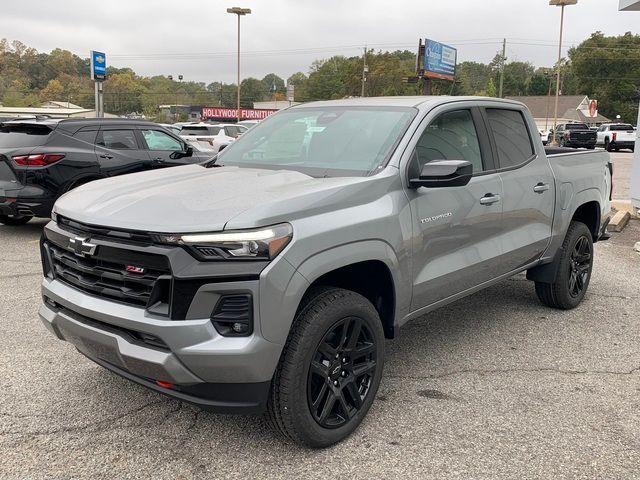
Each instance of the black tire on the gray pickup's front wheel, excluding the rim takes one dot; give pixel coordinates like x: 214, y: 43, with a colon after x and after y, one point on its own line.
x: 289, y: 409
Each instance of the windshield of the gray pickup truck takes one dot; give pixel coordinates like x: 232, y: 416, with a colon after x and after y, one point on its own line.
x: 323, y: 141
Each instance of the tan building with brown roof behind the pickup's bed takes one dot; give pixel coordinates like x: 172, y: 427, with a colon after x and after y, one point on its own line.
x: 571, y: 108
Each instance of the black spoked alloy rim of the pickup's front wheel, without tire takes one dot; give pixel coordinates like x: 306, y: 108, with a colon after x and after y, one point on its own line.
x: 341, y: 372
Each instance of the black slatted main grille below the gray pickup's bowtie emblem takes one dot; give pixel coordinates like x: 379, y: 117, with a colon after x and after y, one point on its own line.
x: 109, y: 279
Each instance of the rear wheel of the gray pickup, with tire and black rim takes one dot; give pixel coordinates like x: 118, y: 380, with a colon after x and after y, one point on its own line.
x: 574, y: 270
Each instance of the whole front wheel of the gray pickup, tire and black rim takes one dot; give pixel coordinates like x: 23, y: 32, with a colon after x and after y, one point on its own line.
x: 330, y: 369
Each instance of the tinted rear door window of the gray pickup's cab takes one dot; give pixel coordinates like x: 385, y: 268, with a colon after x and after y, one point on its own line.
x: 511, y: 135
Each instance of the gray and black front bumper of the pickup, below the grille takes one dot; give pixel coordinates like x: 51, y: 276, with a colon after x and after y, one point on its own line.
x: 223, y: 374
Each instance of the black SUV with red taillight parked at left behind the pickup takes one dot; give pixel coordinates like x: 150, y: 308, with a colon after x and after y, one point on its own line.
x: 40, y: 159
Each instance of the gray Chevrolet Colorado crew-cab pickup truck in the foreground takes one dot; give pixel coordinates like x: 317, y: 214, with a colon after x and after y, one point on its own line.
x: 267, y: 279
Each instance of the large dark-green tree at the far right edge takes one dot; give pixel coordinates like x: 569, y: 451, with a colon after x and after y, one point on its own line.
x: 608, y: 69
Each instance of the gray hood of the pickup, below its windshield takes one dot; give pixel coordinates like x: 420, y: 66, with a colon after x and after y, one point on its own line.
x: 197, y: 199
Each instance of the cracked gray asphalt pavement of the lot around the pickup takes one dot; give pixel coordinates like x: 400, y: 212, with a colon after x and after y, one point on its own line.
x: 493, y: 386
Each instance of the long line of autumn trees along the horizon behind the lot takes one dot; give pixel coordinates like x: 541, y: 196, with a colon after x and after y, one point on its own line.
x: 605, y: 68
